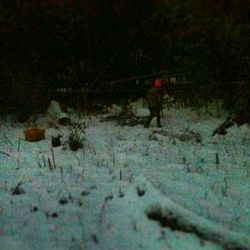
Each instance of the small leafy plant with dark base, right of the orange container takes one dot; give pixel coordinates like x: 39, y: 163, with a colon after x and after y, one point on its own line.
x: 76, y: 135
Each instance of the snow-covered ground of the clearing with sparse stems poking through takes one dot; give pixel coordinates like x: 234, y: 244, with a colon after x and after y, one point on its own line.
x: 128, y: 188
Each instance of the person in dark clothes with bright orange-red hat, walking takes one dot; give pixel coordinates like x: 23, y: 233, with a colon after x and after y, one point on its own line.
x: 154, y: 100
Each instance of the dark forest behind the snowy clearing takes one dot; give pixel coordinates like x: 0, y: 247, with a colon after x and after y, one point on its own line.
x: 90, y: 44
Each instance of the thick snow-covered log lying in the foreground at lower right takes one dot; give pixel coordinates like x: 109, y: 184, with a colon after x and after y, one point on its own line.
x: 169, y: 214
